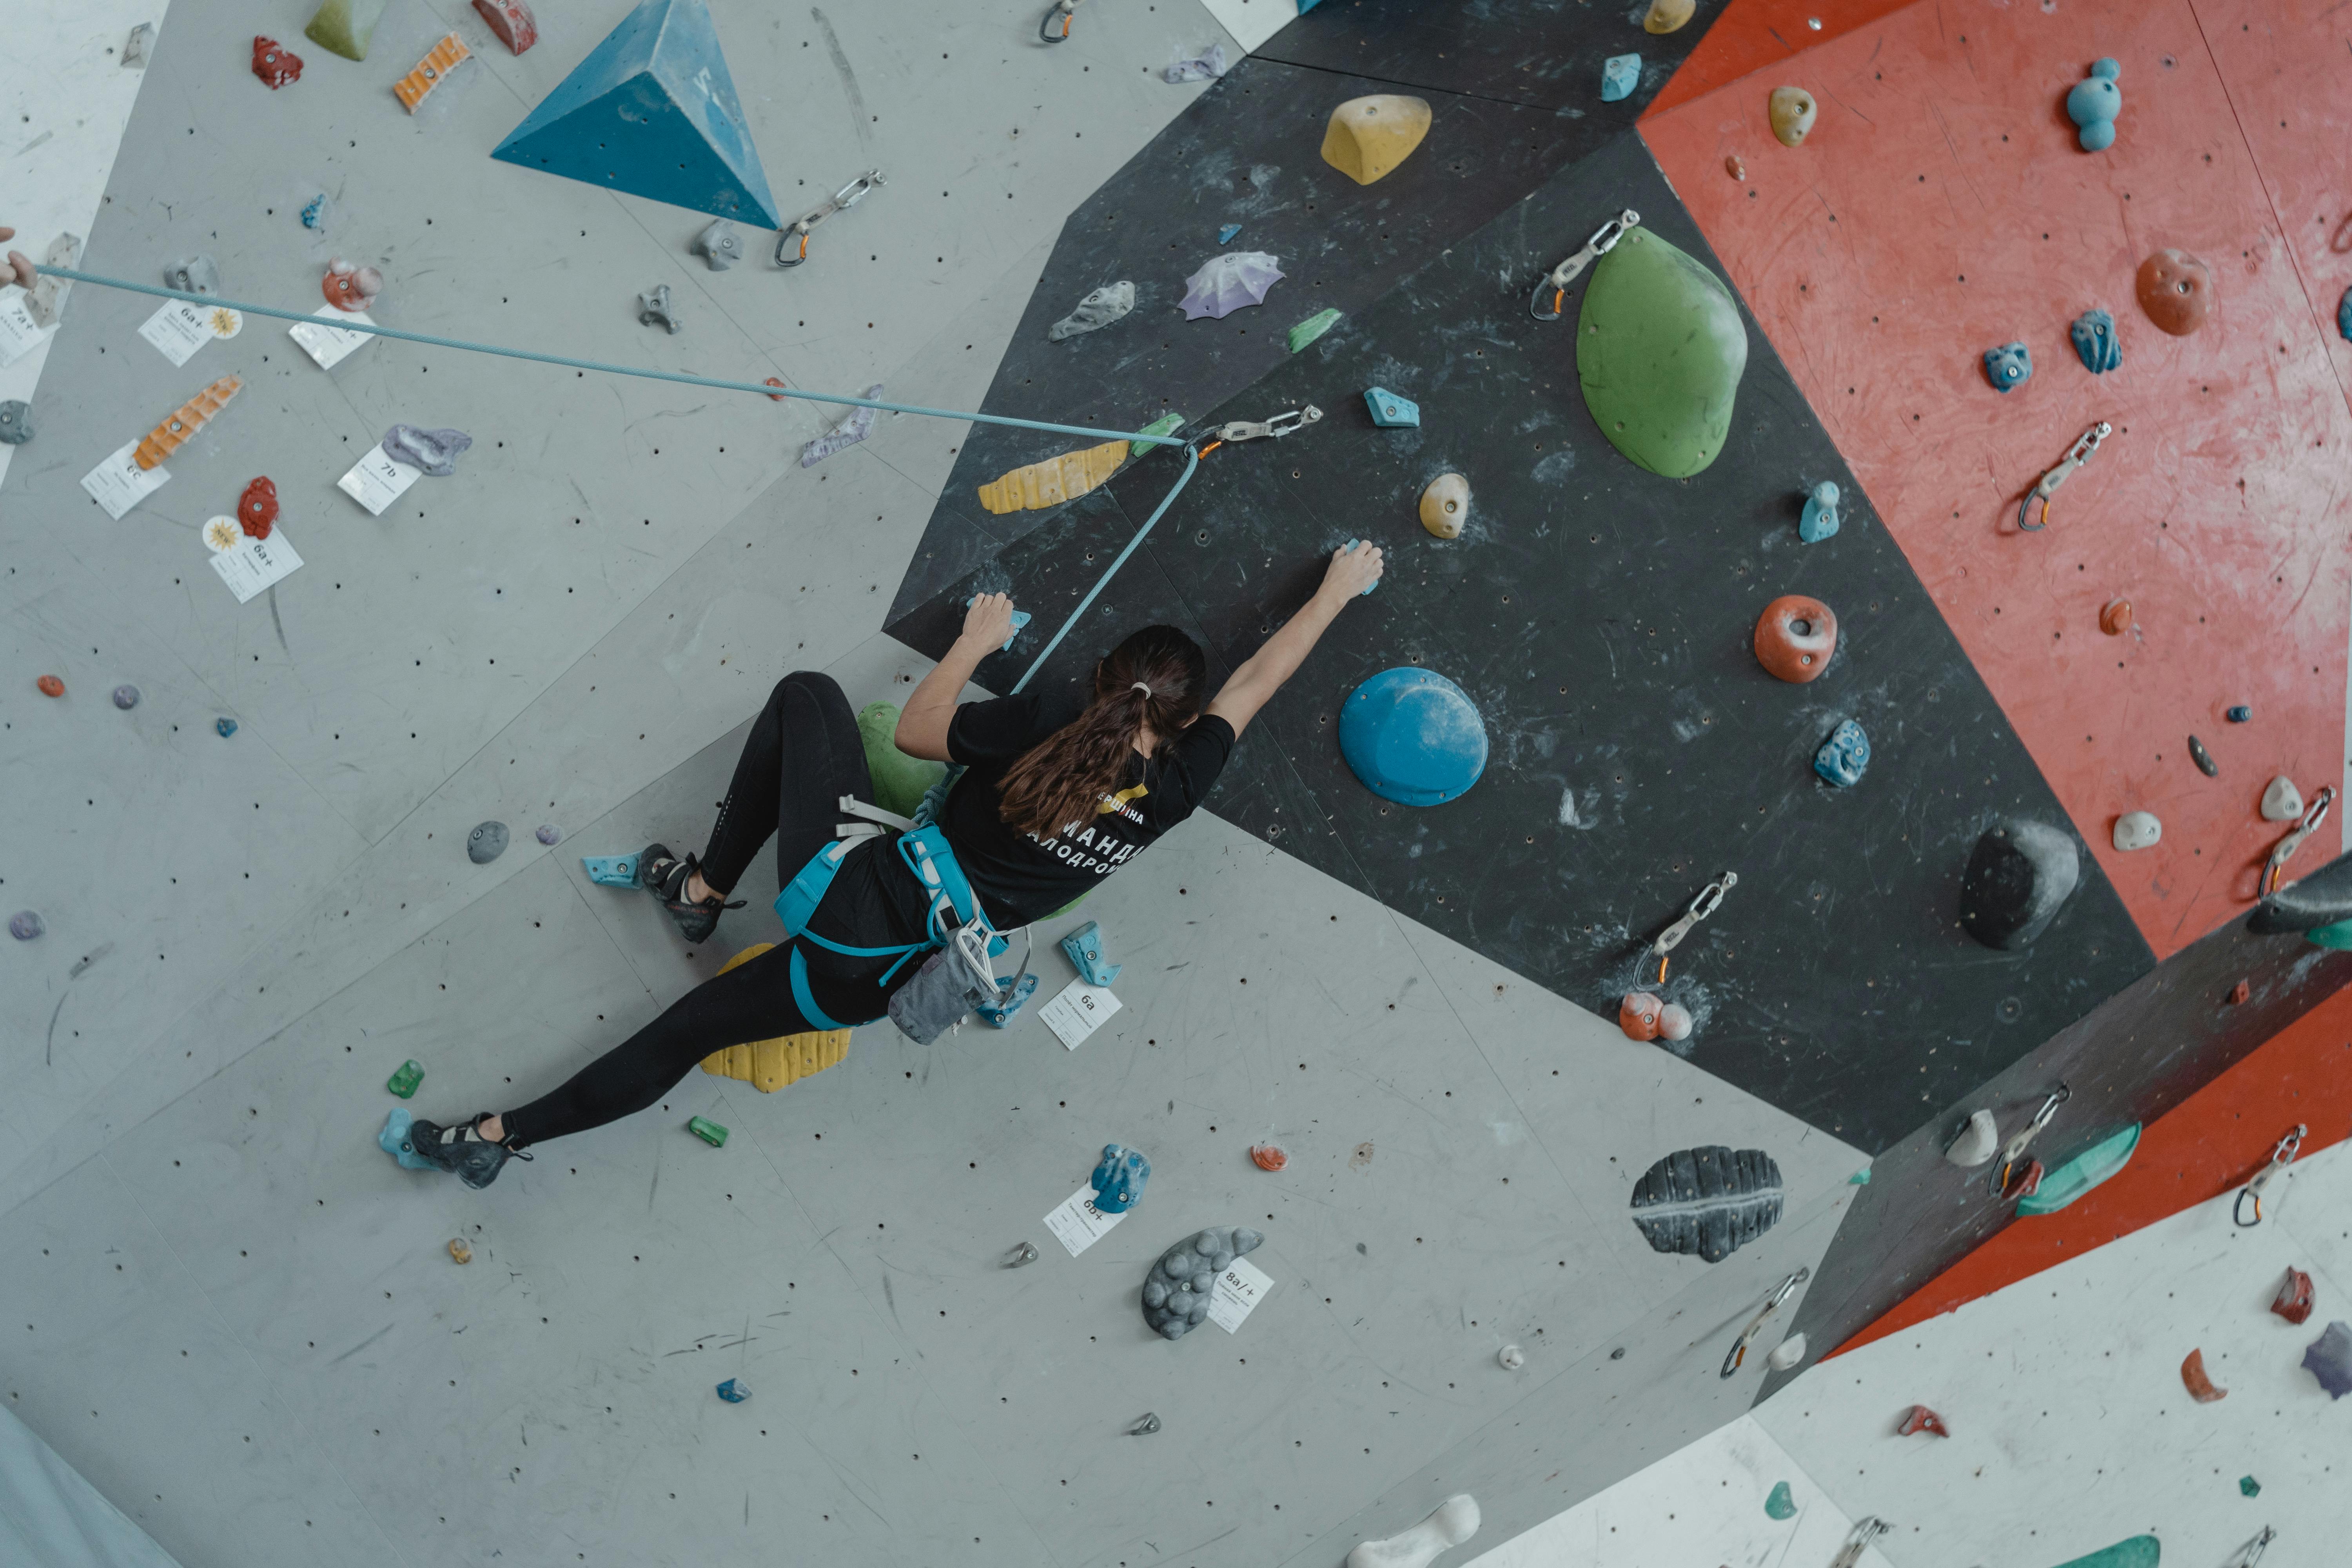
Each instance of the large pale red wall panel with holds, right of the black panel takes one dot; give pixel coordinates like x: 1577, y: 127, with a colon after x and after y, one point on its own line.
x: 1942, y: 208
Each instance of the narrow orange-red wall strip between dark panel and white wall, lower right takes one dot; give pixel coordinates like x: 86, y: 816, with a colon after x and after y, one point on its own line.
x: 2203, y: 1148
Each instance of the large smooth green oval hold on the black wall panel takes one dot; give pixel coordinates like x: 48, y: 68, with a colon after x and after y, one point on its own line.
x: 1659, y: 351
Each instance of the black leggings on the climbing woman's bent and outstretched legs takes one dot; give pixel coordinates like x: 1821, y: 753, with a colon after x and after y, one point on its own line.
x: 801, y: 758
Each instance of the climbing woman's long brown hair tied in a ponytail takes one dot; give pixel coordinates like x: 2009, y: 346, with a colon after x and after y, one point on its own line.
x: 1064, y: 777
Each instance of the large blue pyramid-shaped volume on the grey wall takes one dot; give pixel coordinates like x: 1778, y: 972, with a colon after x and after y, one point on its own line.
x: 653, y: 112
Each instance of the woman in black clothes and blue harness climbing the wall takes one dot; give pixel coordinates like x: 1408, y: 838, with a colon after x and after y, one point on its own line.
x: 1050, y: 805
